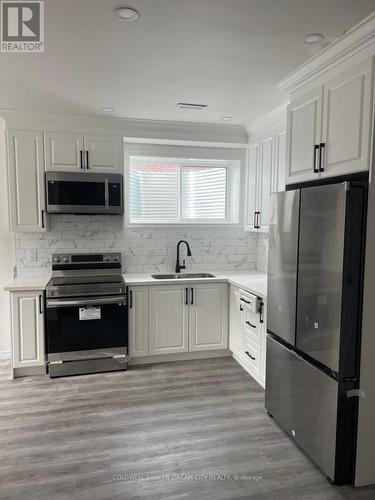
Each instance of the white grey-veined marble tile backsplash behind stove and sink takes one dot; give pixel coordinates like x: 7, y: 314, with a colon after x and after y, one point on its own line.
x: 142, y: 249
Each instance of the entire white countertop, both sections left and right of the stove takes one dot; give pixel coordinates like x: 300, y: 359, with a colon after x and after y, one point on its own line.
x: 253, y: 281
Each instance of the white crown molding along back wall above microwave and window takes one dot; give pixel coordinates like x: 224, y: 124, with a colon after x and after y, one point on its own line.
x: 128, y: 127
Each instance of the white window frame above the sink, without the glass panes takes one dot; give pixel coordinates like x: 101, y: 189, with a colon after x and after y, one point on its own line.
x: 225, y: 155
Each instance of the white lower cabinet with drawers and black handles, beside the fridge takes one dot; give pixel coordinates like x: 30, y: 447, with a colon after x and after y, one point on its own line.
x: 247, y: 334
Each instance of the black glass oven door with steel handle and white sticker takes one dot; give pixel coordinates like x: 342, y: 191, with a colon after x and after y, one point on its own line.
x: 86, y: 328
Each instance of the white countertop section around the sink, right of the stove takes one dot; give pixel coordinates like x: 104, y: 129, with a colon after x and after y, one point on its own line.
x: 253, y: 281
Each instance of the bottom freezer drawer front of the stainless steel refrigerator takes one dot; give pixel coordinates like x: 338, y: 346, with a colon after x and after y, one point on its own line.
x: 304, y: 402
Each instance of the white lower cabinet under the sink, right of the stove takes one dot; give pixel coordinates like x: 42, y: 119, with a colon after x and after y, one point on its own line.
x: 170, y: 319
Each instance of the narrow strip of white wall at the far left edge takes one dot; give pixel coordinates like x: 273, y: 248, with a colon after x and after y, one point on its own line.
x: 6, y: 248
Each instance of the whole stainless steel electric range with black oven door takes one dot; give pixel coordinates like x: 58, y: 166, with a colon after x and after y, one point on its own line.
x: 86, y: 315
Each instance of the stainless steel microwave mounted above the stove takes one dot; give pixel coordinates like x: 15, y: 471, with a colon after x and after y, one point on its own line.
x: 84, y: 193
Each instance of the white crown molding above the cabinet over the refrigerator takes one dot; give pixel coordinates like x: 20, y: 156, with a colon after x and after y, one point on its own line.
x: 353, y: 41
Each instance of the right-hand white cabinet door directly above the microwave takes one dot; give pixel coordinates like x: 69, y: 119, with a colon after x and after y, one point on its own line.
x: 104, y: 153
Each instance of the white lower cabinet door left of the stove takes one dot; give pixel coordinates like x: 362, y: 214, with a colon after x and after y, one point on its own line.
x: 27, y: 329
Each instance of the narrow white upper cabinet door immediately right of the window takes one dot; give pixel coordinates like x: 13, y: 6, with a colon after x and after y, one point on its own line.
x: 252, y: 186
